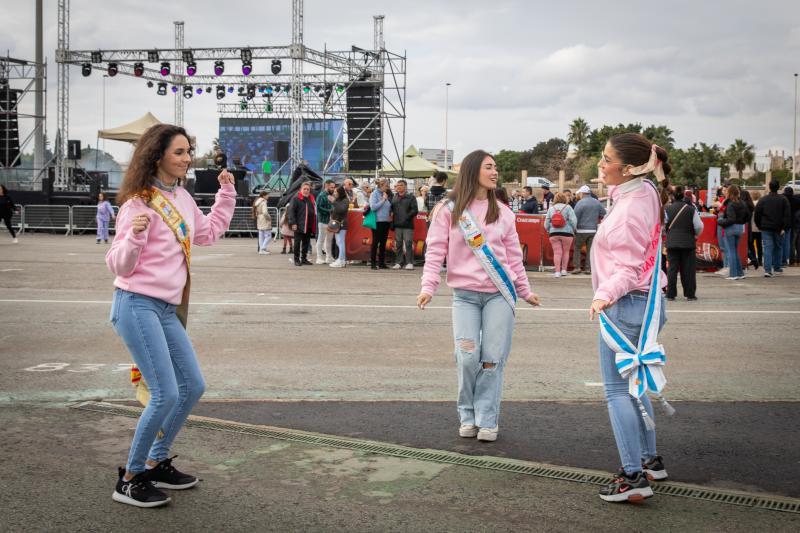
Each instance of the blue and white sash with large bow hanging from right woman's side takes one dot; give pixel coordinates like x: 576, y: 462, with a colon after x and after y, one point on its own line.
x: 642, y: 365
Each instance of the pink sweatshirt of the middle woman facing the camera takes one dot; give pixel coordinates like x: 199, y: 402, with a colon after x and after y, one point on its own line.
x: 464, y: 271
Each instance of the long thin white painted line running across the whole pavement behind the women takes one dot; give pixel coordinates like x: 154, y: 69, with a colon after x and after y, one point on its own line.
x: 372, y: 306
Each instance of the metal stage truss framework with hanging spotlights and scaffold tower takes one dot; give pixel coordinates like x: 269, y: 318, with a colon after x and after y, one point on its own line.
x: 364, y: 88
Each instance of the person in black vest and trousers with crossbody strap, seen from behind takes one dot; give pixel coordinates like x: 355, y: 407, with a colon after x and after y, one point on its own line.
x: 683, y: 227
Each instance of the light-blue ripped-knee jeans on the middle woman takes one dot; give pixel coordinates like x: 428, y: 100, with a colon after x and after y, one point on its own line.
x: 483, y: 324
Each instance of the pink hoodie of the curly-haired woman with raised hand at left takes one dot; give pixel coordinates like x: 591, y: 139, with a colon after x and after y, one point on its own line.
x: 152, y: 262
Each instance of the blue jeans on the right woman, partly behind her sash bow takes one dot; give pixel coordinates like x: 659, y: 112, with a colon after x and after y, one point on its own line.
x: 635, y: 443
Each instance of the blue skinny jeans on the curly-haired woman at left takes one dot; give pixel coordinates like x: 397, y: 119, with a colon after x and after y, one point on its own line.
x: 161, y: 349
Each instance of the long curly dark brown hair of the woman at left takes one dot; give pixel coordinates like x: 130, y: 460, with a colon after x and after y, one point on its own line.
x: 150, y: 149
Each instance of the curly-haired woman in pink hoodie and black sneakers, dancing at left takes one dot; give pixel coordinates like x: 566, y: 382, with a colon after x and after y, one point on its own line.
x: 157, y: 225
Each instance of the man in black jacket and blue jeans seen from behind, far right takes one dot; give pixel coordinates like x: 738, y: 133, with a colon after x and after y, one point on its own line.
x: 773, y: 217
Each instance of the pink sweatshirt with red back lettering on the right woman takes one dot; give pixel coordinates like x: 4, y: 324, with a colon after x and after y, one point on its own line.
x: 624, y: 248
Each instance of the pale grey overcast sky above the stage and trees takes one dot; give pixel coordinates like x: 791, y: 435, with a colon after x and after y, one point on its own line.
x: 520, y: 71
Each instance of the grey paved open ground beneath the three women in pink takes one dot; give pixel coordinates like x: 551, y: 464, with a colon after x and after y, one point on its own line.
x: 265, y: 330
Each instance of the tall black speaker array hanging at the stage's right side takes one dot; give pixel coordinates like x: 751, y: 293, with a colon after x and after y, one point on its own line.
x: 364, y: 126
